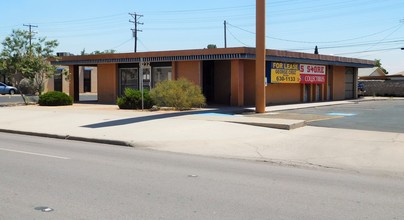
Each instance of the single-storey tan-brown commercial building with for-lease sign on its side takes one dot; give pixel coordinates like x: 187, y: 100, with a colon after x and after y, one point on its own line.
x: 226, y: 76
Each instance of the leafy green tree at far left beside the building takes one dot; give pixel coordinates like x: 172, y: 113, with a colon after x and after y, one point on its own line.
x: 22, y: 60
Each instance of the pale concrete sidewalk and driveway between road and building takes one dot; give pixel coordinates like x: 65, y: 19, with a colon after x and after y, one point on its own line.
x: 209, y: 133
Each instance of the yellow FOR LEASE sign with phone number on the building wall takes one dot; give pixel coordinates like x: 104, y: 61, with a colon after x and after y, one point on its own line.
x: 285, y: 72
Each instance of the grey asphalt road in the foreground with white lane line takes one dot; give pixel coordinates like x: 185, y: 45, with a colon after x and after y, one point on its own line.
x: 91, y: 181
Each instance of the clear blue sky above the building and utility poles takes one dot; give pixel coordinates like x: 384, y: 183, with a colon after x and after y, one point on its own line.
x: 367, y: 29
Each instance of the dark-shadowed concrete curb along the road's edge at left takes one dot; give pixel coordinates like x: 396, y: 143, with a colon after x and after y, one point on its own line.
x: 68, y: 137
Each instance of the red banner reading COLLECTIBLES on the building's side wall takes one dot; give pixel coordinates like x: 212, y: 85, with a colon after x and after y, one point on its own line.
x: 312, y: 74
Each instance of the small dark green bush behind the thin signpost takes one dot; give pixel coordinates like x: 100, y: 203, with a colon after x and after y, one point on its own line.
x: 132, y: 99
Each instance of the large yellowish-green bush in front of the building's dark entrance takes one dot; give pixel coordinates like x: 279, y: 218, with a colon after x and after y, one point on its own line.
x: 179, y: 94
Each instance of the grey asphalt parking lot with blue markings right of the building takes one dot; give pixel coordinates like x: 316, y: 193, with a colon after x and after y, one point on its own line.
x: 384, y: 115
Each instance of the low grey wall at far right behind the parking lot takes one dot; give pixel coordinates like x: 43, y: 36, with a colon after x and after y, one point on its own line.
x: 383, y: 87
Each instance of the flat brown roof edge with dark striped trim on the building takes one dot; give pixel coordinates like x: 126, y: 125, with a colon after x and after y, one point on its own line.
x: 212, y: 54
